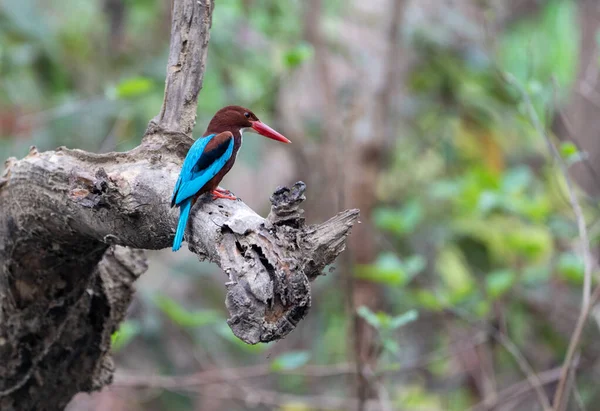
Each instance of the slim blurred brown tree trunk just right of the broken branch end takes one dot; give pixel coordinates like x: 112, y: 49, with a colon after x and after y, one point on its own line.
x: 368, y: 158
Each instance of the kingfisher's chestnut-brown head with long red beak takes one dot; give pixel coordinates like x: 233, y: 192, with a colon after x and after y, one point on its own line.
x: 239, y: 118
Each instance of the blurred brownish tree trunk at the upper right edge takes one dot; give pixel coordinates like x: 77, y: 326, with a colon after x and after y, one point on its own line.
x: 581, y: 120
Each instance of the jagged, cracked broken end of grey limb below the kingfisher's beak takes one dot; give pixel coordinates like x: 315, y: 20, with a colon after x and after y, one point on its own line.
x: 270, y: 261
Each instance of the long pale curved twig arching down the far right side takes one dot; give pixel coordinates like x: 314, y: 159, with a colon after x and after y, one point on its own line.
x: 583, y: 235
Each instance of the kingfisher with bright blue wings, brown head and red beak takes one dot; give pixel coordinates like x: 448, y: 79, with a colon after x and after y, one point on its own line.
x: 211, y: 157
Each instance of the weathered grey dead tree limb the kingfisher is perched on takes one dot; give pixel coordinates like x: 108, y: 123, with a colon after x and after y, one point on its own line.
x: 72, y: 226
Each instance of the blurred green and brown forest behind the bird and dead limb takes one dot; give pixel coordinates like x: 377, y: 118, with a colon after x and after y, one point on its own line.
x: 463, y: 283
